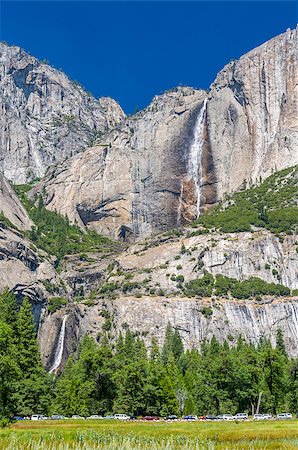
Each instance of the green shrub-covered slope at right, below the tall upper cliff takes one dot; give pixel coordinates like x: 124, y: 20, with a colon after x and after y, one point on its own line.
x: 271, y: 205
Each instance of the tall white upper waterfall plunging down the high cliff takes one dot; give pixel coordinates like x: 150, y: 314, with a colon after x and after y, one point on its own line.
x: 194, y: 168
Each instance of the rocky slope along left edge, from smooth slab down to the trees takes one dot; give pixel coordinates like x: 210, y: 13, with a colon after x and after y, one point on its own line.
x: 24, y: 269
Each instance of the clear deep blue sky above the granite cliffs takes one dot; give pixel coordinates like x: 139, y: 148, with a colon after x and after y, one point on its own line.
x: 132, y: 51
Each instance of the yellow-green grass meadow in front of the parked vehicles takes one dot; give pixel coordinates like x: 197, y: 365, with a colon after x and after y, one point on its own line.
x: 113, y: 435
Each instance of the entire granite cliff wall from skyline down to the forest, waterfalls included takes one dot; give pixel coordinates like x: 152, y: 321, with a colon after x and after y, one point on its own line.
x: 145, y: 176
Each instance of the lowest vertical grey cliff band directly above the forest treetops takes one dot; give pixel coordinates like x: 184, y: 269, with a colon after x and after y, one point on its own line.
x: 195, y: 319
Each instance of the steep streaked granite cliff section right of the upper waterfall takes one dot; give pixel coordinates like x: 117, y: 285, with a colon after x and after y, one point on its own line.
x: 251, y: 121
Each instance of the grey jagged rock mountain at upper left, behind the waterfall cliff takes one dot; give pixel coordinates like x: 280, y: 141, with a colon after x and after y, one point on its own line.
x: 45, y: 118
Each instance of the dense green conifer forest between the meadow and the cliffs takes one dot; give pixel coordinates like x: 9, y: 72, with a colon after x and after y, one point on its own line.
x: 123, y: 376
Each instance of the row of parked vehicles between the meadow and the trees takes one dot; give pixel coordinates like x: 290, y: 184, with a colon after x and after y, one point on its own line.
x: 228, y: 417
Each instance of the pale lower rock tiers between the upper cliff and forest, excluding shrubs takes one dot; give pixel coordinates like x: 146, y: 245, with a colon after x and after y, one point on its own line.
x: 152, y: 267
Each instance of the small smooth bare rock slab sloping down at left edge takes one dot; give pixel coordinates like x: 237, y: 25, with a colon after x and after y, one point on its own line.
x: 11, y: 207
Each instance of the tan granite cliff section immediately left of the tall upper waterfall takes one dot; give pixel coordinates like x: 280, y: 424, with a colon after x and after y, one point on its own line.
x: 132, y: 178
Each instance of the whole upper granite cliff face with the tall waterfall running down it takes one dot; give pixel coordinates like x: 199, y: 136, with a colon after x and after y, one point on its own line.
x: 186, y: 149
